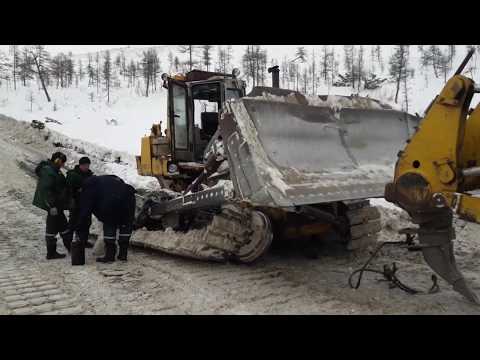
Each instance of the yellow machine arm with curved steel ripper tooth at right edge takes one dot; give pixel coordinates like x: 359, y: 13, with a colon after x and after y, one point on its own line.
x: 436, y: 172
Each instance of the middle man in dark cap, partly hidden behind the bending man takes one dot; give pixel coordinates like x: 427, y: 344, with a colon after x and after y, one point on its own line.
x: 75, y: 181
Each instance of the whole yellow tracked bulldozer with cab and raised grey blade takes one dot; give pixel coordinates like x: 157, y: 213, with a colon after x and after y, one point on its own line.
x: 239, y: 171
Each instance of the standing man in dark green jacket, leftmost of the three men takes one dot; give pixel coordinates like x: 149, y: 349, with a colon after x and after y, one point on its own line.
x: 51, y: 196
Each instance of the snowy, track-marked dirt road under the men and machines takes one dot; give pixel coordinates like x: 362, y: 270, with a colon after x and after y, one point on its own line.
x: 283, y: 282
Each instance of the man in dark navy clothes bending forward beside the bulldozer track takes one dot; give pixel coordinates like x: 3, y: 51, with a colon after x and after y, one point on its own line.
x: 112, y: 201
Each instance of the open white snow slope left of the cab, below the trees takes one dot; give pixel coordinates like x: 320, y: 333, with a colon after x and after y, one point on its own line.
x: 86, y: 120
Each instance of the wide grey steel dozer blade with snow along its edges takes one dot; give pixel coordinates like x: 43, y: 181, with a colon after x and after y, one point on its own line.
x: 288, y: 153
